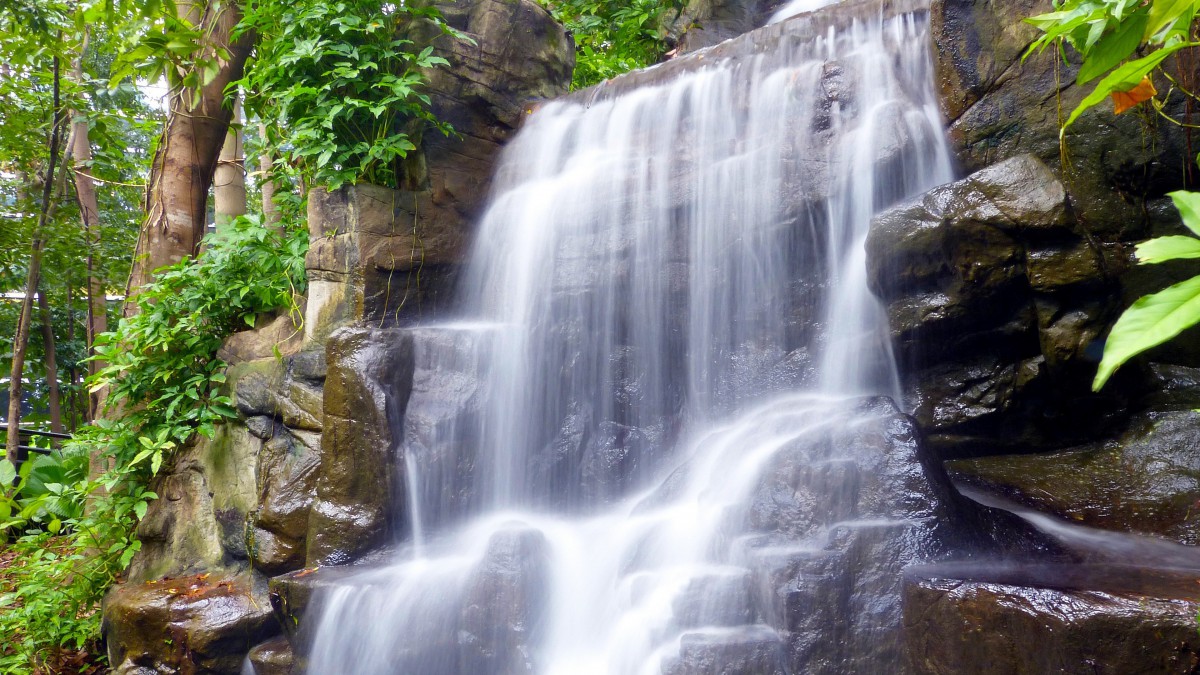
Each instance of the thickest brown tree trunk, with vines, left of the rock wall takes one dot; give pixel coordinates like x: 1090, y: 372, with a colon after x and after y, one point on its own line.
x: 183, y: 166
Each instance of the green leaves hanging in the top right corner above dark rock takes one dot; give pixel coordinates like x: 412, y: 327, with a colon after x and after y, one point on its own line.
x: 1111, y: 33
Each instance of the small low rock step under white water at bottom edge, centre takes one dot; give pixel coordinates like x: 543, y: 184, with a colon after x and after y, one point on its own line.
x: 743, y: 650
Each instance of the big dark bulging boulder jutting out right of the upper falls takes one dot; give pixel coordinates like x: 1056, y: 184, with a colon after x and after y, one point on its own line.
x: 998, y: 301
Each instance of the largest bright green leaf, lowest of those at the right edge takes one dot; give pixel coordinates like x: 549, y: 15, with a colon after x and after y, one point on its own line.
x: 1148, y: 324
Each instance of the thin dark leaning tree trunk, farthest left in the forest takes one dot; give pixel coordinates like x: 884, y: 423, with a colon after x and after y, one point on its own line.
x: 21, y: 342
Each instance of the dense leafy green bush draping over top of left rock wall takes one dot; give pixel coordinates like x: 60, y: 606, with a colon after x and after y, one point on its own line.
x: 340, y: 91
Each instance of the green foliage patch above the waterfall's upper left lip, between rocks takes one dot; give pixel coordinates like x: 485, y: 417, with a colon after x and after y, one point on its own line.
x: 615, y: 37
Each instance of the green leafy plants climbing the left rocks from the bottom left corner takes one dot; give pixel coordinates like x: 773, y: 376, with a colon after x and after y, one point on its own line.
x: 165, y: 375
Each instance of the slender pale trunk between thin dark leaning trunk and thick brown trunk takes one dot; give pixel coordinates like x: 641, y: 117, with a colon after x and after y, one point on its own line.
x: 89, y: 216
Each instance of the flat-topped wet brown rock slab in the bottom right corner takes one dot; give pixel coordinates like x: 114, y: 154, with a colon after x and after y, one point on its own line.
x: 1051, y: 620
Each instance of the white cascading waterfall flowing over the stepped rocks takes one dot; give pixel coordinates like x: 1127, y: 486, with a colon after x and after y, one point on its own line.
x: 644, y: 450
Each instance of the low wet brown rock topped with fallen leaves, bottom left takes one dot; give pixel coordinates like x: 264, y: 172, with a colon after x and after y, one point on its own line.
x: 200, y: 624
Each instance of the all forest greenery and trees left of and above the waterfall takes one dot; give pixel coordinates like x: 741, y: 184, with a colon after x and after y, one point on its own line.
x: 93, y: 170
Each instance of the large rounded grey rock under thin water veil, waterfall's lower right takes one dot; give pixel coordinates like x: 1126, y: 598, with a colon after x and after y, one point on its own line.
x: 839, y: 517
